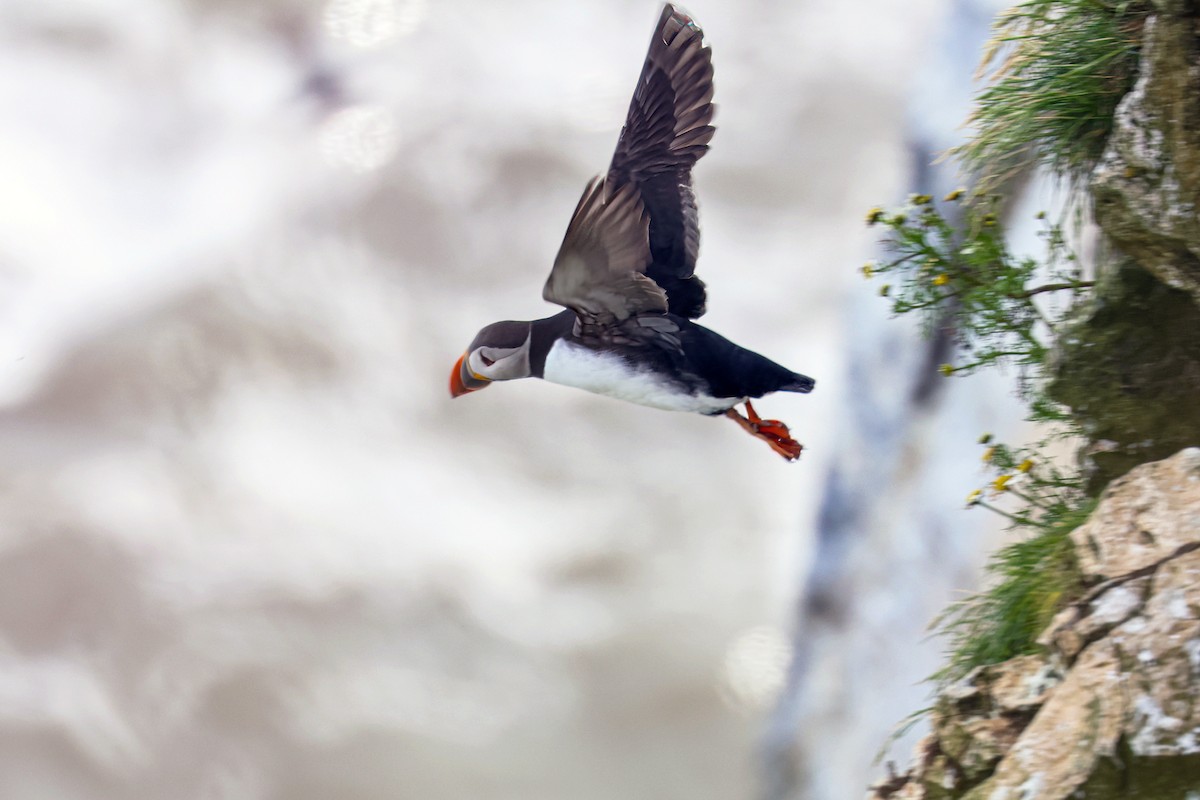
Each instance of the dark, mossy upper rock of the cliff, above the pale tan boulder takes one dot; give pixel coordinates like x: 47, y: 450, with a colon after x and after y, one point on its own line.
x: 1130, y: 369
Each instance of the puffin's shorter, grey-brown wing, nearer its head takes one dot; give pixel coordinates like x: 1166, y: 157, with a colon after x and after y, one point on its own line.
x: 601, y: 268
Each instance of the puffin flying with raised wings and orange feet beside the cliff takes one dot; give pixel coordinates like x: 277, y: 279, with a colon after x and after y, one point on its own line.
x: 626, y: 272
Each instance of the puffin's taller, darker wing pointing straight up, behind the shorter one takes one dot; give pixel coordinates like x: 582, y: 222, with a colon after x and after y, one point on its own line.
x: 667, y: 131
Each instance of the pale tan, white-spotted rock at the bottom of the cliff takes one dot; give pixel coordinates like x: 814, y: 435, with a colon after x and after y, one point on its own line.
x: 1111, y: 708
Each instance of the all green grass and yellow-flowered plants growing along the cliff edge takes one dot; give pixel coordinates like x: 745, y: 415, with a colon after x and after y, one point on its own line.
x: 1057, y: 71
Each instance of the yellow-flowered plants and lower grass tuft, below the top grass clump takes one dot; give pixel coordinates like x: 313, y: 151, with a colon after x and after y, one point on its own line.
x: 1006, y: 310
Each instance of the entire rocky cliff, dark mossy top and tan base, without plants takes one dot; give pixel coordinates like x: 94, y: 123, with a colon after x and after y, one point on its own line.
x: 1109, y: 706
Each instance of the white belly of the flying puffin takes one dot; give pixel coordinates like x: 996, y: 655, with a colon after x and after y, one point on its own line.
x: 609, y: 375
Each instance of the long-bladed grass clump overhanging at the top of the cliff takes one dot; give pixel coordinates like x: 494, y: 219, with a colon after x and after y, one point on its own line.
x: 1061, y: 68
